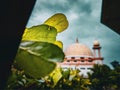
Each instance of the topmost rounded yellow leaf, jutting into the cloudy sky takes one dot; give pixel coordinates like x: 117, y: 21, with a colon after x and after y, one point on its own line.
x: 59, y: 21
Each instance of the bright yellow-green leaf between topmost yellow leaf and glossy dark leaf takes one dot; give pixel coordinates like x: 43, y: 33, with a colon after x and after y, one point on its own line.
x: 44, y: 33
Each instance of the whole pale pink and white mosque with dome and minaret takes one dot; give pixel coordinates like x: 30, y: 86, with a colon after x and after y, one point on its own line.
x: 80, y: 56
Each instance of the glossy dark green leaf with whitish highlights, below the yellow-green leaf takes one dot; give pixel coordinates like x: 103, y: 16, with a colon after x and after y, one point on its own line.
x: 45, y: 50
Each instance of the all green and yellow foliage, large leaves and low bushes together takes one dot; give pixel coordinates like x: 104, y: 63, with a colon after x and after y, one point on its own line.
x: 35, y: 64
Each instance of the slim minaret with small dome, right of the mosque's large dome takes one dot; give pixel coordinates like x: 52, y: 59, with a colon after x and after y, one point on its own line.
x: 97, y: 54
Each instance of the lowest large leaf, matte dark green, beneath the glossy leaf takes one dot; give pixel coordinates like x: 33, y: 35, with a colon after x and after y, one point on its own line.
x: 32, y: 65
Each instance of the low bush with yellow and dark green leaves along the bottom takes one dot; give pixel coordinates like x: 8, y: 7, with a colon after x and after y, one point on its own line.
x: 59, y: 79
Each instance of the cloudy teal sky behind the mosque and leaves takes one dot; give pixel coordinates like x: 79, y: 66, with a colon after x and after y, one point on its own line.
x: 84, y: 23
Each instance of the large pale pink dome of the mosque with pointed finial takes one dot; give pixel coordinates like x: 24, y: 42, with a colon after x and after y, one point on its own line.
x: 78, y: 49
